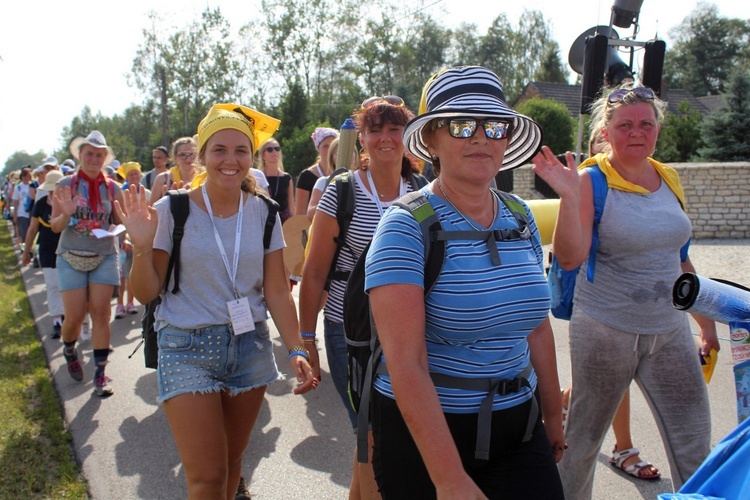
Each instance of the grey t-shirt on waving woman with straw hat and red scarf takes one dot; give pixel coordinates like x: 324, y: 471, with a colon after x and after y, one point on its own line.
x: 77, y: 234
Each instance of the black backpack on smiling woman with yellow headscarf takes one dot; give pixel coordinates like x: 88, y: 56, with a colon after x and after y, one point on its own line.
x: 180, y: 207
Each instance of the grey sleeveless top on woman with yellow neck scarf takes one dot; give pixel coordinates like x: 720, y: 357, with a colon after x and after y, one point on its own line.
x: 638, y: 261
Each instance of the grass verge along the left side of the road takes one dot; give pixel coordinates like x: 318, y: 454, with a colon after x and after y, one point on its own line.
x: 36, y: 460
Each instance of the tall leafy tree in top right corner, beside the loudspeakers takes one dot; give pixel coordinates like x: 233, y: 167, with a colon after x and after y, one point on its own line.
x: 706, y: 48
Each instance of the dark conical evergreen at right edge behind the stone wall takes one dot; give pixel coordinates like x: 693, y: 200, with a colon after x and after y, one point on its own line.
x: 727, y: 132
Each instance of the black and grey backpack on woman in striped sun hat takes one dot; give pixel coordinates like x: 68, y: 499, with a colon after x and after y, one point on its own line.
x: 362, y: 344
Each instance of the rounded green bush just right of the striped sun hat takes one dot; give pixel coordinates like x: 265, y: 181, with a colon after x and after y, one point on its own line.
x: 555, y: 120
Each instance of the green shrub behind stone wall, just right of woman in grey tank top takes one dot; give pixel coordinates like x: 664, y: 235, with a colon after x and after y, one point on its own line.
x: 681, y: 136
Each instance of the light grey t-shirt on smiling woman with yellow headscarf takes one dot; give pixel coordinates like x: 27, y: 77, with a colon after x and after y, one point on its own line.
x: 205, y: 286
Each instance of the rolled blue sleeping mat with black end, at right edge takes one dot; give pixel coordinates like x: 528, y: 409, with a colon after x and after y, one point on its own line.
x: 719, y: 300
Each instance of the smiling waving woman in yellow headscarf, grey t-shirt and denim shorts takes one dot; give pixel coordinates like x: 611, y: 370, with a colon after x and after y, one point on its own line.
x: 215, y: 353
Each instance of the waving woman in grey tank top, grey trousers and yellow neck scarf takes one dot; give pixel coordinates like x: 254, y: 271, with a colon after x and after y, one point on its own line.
x: 624, y: 326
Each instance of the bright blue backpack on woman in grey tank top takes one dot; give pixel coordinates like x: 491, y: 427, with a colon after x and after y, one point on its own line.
x: 562, y: 283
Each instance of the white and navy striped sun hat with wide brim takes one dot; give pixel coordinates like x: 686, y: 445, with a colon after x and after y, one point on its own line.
x: 472, y: 91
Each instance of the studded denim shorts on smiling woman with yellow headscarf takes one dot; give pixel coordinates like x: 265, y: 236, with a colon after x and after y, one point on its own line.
x: 213, y: 359
